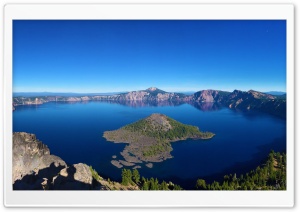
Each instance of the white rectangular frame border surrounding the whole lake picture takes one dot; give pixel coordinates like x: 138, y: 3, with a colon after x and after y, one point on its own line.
x: 147, y: 198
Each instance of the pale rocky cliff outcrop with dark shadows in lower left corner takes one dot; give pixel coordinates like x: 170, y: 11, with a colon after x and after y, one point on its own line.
x: 34, y: 168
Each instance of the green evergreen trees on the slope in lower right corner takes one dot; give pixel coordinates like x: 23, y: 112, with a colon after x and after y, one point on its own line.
x: 270, y: 176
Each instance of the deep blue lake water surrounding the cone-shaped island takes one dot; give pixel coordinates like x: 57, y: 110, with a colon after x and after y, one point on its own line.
x: 74, y: 133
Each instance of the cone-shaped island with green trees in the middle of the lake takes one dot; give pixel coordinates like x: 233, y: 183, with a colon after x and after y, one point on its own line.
x: 149, y: 139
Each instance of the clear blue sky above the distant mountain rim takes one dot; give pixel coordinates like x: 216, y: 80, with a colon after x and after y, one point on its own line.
x: 110, y: 56
